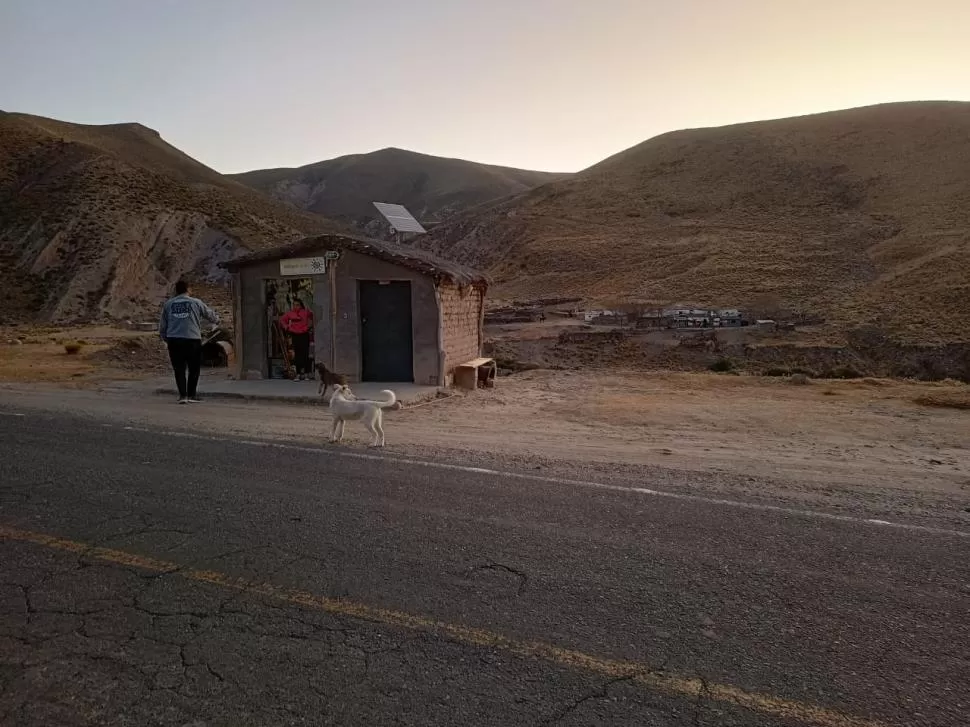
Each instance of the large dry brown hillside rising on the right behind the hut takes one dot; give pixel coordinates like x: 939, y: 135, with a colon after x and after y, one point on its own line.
x: 862, y: 216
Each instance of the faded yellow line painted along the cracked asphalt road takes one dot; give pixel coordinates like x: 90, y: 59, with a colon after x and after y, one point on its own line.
x: 669, y: 684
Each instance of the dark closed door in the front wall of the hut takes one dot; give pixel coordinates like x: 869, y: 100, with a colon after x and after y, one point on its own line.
x: 387, y: 349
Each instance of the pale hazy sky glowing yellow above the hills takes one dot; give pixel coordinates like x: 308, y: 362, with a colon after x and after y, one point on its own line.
x: 544, y: 84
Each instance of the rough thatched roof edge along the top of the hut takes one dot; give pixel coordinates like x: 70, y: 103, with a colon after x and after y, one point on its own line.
x: 412, y: 258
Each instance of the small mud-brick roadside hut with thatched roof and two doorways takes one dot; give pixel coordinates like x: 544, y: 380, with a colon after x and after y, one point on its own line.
x: 381, y: 311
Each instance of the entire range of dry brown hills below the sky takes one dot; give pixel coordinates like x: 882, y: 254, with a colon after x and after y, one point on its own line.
x: 859, y: 217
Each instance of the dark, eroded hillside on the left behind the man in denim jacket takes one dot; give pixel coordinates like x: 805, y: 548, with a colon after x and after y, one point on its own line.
x: 99, y: 220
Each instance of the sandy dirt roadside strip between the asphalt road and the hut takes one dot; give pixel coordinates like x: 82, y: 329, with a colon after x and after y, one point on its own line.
x: 827, y: 441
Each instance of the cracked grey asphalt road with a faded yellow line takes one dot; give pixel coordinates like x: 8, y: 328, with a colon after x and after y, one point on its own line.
x: 154, y: 579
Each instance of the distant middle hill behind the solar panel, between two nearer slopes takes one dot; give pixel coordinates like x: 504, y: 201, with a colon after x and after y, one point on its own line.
x: 432, y: 188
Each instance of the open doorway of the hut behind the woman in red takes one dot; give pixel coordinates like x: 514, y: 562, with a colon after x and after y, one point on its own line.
x: 287, y: 349
